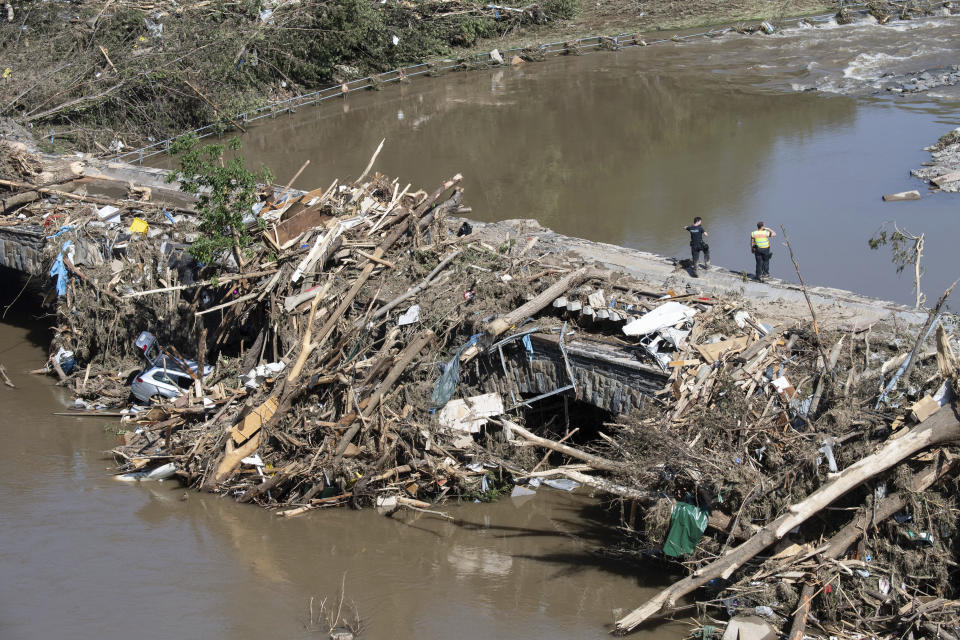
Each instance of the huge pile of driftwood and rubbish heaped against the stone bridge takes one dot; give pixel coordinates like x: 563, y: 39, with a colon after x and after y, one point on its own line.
x: 346, y: 345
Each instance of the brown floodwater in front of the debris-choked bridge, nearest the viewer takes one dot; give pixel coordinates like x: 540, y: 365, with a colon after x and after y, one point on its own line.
x: 86, y: 556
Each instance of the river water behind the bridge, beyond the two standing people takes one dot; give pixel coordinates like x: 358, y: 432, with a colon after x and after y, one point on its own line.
x: 628, y: 147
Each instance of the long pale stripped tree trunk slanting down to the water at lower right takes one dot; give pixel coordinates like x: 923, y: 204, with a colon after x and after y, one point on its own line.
x: 944, y: 426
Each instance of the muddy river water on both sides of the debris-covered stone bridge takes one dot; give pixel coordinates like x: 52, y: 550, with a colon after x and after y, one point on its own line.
x: 621, y: 147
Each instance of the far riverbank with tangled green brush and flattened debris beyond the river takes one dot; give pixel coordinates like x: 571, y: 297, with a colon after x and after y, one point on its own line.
x: 122, y: 76
